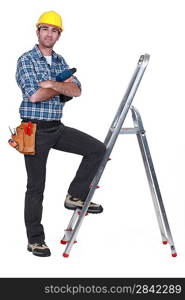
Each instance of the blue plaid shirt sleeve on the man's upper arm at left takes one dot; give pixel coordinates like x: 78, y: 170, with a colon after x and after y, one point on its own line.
x: 26, y: 77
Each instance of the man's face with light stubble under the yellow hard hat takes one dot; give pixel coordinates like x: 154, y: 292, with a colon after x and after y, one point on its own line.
x: 48, y: 35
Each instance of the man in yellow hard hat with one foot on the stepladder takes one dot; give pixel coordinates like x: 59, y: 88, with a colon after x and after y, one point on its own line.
x: 36, y: 76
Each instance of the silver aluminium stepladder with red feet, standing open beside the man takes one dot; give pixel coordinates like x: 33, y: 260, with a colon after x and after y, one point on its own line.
x: 116, y: 128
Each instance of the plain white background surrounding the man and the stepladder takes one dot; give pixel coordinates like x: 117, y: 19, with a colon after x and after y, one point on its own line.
x: 103, y: 40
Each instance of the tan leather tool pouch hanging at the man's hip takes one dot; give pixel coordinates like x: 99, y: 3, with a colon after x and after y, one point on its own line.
x: 25, y: 138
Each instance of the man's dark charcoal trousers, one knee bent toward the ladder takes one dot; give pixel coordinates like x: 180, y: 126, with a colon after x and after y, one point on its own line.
x: 59, y: 137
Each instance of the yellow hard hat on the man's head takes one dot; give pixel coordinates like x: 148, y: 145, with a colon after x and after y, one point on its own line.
x: 52, y: 18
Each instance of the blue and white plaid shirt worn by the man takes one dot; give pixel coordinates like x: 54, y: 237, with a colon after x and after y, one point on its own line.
x: 32, y: 68
